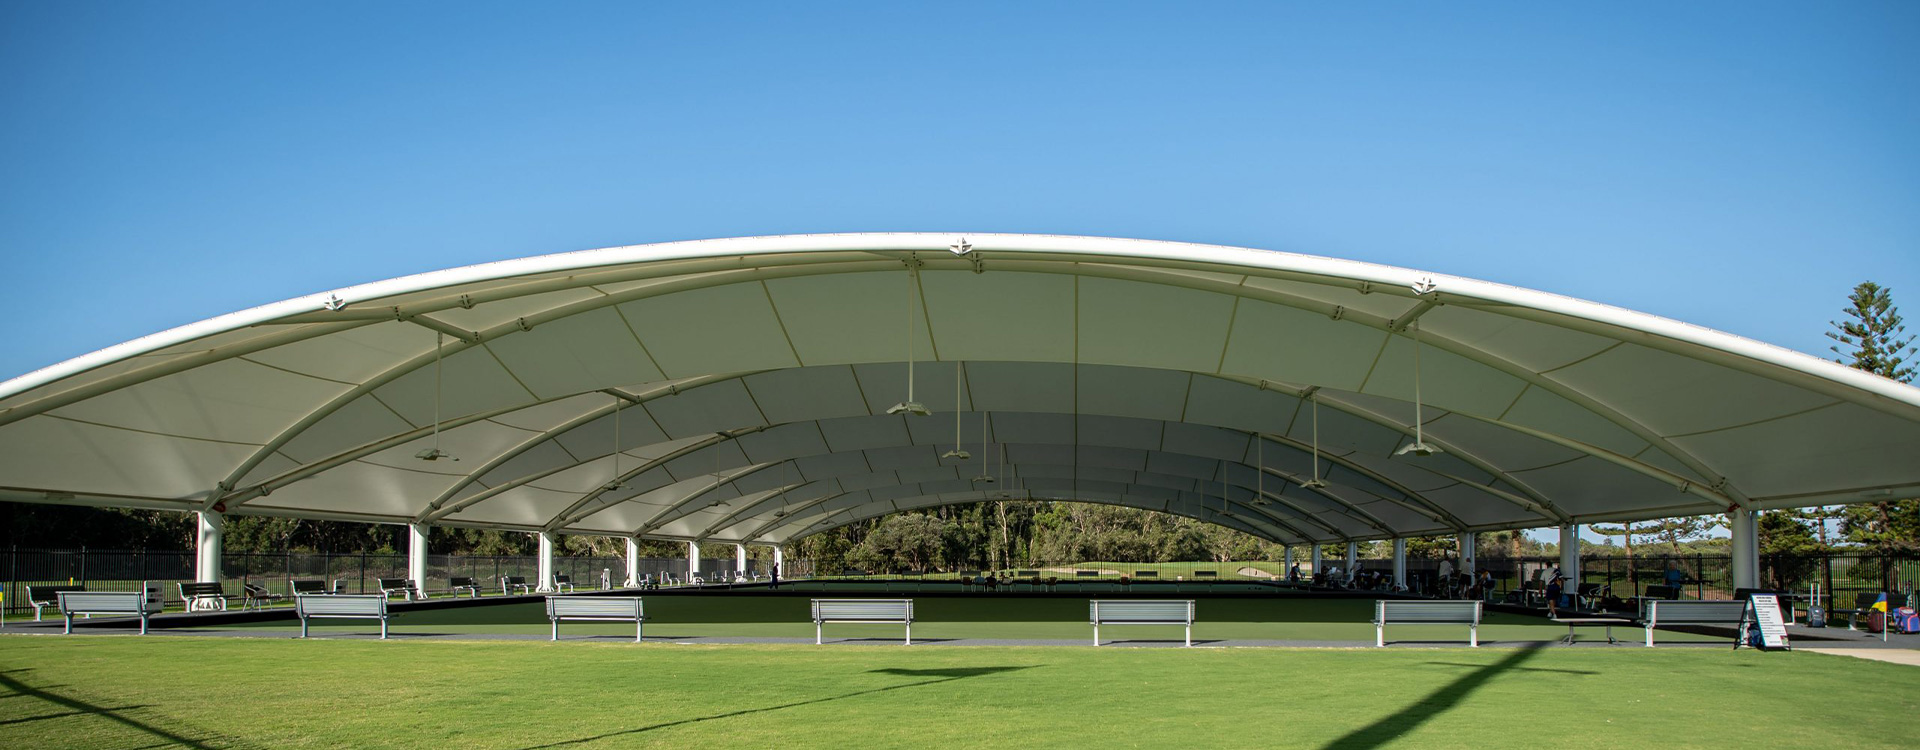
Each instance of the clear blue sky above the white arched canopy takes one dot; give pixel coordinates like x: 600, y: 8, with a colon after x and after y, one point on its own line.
x: 1729, y: 164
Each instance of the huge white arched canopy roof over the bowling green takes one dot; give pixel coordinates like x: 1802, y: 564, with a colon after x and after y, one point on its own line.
x: 750, y: 388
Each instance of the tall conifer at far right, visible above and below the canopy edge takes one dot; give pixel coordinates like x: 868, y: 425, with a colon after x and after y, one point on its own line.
x: 1877, y: 342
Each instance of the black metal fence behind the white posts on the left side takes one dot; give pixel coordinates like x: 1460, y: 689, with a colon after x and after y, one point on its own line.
x: 350, y: 573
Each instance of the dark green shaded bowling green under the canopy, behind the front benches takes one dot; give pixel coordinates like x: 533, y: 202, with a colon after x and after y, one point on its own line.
x: 1264, y: 619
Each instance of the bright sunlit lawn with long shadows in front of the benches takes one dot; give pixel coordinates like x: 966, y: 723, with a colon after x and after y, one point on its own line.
x: 270, y: 693
